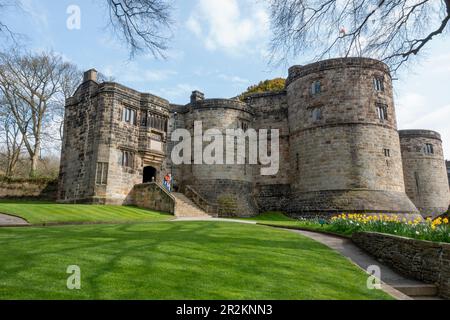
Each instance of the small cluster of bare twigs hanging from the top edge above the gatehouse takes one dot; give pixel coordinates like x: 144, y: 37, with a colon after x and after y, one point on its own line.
x: 143, y: 24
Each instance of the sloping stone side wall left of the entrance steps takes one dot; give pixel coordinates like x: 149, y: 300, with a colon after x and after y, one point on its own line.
x: 151, y: 196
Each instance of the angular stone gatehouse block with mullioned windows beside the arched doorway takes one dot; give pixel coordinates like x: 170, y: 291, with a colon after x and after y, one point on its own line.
x: 96, y: 135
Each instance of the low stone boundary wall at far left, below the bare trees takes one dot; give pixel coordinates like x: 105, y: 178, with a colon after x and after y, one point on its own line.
x: 28, y: 189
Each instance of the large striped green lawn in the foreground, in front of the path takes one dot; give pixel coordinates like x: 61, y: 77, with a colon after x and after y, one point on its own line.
x: 175, y: 260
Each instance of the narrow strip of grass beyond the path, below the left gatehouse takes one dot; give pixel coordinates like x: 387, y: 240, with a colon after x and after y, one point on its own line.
x: 48, y: 213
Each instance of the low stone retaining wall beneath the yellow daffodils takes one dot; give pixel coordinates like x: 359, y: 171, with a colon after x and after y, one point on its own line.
x: 422, y: 260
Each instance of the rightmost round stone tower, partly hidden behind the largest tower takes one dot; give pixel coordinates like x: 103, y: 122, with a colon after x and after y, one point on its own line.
x: 424, y: 169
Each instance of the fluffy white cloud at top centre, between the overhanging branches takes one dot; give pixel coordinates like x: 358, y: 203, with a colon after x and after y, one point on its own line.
x: 229, y: 25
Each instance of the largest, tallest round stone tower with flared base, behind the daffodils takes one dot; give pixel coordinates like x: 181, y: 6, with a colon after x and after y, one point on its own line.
x: 344, y: 145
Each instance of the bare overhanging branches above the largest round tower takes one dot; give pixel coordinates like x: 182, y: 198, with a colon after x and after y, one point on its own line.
x: 390, y: 30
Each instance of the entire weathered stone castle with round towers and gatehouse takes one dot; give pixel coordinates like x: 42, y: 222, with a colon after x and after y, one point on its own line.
x: 340, y: 150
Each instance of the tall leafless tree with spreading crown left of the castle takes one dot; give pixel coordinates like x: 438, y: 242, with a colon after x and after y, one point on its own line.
x: 32, y: 85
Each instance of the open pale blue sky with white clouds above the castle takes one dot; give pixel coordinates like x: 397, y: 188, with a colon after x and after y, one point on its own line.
x: 220, y: 48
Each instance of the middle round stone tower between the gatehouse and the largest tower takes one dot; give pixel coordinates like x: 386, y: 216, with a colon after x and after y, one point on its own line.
x: 229, y: 186
